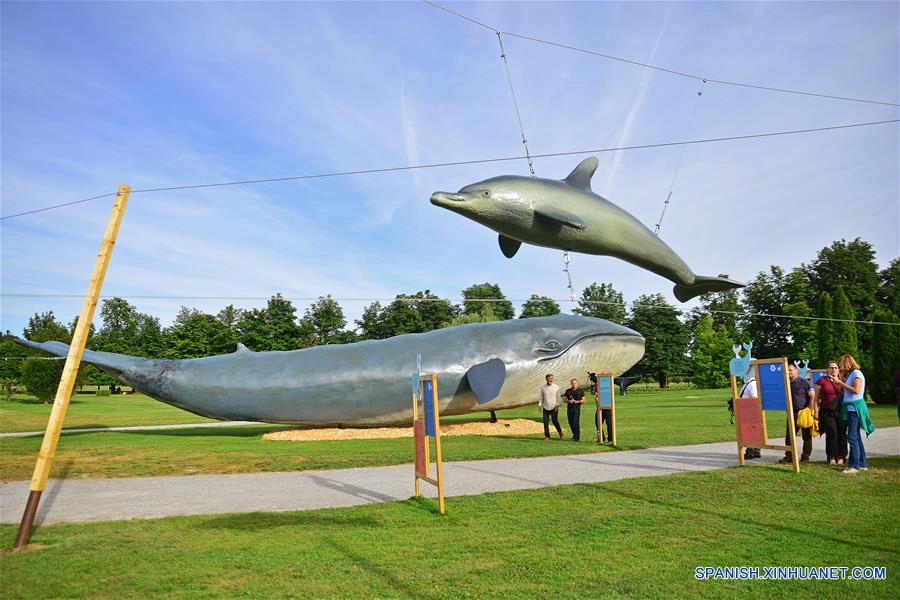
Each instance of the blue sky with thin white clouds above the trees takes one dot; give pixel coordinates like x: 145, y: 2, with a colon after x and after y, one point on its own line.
x: 157, y: 94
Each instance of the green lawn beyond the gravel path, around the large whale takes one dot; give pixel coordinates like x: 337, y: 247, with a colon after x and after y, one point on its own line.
x: 645, y: 420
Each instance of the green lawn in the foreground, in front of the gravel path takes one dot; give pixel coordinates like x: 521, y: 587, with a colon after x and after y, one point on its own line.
x: 640, y: 538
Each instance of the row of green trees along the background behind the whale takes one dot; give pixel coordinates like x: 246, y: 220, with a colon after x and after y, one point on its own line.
x: 806, y: 312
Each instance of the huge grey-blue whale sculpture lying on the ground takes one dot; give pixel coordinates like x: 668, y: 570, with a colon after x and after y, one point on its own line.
x: 480, y: 367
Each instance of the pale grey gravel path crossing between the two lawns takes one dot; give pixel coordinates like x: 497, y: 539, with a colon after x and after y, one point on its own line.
x: 151, y: 497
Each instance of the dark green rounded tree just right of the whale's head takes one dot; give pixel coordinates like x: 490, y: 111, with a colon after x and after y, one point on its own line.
x: 665, y: 335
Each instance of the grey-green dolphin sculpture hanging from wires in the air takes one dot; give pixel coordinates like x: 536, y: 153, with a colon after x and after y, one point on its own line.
x: 569, y: 216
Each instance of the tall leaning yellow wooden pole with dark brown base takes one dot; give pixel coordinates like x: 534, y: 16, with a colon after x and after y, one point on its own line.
x: 70, y: 371
